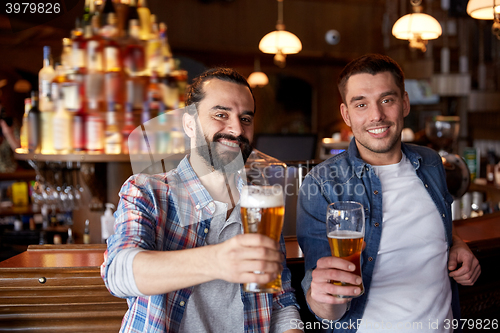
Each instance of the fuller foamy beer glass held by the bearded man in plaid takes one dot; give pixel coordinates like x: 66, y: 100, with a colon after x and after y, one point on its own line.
x: 263, y: 212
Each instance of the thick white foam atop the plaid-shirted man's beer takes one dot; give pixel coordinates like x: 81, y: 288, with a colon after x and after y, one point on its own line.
x: 261, y: 197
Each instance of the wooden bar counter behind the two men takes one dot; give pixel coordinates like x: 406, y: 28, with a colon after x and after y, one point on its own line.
x: 59, y: 288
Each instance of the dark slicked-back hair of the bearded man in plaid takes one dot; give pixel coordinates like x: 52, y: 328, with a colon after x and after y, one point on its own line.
x: 195, y: 93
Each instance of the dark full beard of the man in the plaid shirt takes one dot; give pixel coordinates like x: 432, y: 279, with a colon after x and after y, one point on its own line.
x: 215, y: 156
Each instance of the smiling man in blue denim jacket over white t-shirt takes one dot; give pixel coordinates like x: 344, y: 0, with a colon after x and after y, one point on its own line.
x: 412, y: 259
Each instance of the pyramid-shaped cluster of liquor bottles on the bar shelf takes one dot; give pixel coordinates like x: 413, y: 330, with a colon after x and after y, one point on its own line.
x: 116, y: 72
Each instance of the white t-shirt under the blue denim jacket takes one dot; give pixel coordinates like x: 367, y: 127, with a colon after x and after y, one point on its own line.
x: 410, y: 289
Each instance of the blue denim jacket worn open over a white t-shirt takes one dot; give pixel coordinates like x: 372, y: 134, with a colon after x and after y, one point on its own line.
x: 346, y: 177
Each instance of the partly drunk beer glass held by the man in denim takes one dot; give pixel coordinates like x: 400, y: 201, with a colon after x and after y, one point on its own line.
x: 345, y: 228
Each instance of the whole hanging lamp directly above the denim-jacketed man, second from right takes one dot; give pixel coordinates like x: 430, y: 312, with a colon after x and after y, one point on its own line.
x: 417, y: 27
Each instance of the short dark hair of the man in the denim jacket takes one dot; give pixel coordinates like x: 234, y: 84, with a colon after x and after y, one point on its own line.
x: 371, y: 64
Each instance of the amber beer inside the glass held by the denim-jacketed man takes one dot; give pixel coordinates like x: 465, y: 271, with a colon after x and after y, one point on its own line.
x: 347, y: 245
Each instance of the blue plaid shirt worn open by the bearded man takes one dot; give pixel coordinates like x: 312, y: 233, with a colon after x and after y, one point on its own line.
x: 167, y: 212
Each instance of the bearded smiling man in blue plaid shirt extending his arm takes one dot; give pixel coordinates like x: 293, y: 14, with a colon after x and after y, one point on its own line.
x: 178, y: 253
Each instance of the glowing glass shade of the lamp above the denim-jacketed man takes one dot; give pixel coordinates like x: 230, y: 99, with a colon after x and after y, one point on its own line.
x: 416, y: 25
